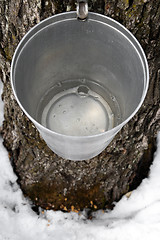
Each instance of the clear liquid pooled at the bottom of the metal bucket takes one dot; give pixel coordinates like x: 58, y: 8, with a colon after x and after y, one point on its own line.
x: 75, y: 108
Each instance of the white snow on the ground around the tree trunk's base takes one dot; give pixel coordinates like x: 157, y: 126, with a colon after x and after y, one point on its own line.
x: 135, y: 217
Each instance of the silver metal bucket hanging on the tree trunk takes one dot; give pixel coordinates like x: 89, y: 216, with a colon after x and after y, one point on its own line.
x: 79, y: 82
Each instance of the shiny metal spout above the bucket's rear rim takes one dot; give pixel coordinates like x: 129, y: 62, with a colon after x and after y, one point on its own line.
x: 82, y: 9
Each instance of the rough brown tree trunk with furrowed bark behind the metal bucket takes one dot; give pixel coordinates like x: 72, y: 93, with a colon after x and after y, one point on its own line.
x: 48, y: 180
